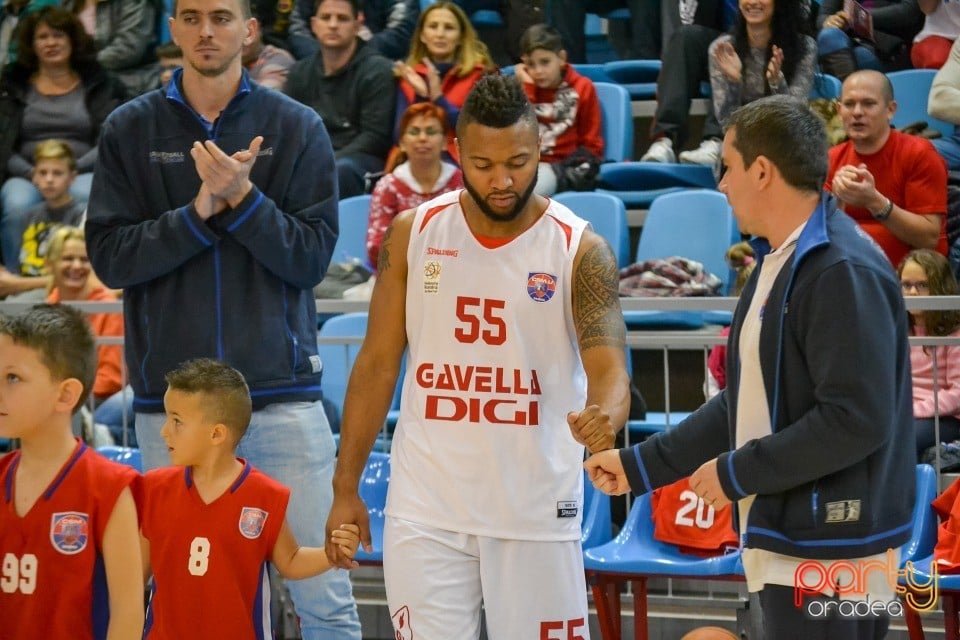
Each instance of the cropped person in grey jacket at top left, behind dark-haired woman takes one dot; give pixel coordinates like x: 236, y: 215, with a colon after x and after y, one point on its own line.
x: 124, y: 34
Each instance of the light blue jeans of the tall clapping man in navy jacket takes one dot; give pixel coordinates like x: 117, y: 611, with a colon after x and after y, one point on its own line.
x: 291, y: 442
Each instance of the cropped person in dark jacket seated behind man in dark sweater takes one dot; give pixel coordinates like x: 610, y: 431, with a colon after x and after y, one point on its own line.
x: 387, y: 25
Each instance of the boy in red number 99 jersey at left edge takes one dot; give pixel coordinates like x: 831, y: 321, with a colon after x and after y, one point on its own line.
x: 68, y: 516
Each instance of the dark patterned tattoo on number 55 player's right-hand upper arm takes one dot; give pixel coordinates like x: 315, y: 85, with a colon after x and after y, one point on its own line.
x: 596, y: 300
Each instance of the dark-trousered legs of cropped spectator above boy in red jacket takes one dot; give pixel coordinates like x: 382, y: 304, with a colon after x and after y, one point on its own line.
x: 638, y: 37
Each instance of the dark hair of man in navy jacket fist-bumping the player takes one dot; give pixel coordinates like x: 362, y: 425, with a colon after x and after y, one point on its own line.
x: 789, y: 134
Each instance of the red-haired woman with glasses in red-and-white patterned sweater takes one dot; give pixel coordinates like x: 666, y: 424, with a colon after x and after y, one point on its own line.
x: 416, y: 174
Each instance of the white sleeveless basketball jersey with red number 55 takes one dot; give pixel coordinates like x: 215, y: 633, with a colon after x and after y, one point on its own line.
x: 482, y: 444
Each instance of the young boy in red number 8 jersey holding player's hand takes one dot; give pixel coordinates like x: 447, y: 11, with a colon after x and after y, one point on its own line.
x: 210, y: 567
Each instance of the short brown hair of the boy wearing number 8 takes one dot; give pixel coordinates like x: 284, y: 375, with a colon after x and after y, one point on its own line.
x: 227, y: 397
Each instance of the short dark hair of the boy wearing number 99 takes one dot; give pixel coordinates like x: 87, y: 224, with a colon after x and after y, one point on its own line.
x: 61, y: 337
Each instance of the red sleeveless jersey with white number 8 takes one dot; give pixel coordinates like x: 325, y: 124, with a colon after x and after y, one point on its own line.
x: 209, y: 561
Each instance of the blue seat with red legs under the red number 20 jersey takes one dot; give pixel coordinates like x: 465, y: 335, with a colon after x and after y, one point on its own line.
x: 634, y: 556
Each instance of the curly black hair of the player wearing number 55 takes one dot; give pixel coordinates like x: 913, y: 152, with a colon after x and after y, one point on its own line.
x: 496, y: 101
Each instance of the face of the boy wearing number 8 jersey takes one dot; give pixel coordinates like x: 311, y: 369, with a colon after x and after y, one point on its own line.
x: 187, y: 430
